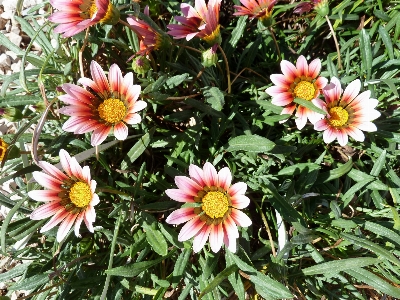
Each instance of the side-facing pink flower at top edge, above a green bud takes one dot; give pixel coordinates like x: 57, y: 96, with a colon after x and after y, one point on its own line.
x: 201, y: 21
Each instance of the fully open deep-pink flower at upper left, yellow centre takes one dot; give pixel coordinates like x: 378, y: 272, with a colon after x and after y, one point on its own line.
x: 104, y: 105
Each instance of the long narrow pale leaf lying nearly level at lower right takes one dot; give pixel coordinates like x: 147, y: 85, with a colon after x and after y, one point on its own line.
x: 337, y: 266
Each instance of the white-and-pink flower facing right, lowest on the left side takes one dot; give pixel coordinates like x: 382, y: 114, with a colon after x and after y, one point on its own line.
x: 69, y: 196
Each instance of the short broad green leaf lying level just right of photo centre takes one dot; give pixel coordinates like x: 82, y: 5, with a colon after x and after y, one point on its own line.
x: 250, y: 143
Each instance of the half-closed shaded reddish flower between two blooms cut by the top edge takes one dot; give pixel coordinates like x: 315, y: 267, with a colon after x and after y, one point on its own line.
x: 150, y: 39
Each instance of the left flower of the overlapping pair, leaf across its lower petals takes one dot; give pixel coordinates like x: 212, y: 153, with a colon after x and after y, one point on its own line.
x: 300, y: 81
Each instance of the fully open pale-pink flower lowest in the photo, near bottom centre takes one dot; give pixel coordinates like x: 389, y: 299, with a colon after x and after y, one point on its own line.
x: 214, y: 210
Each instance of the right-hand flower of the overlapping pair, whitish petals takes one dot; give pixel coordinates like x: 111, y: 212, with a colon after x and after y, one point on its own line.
x: 347, y: 114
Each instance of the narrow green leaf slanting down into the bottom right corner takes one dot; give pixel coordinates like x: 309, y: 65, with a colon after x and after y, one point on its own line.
x: 374, y: 281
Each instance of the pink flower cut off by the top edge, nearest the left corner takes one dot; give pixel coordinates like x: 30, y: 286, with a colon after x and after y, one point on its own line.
x: 75, y: 16
